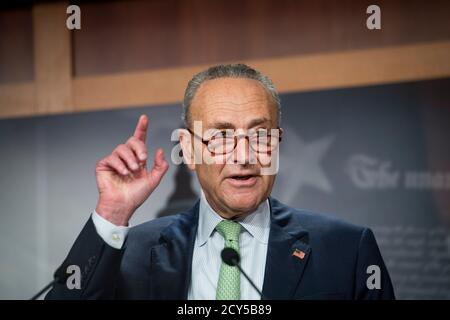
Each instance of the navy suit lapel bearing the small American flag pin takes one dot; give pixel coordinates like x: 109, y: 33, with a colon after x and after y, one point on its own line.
x: 287, y: 255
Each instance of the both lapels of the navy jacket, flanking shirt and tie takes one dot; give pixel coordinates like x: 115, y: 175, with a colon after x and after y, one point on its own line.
x: 171, y: 259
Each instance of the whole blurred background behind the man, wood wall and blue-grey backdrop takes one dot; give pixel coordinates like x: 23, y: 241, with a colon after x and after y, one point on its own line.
x: 366, y: 115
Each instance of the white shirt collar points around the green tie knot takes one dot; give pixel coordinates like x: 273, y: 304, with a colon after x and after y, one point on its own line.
x: 257, y: 223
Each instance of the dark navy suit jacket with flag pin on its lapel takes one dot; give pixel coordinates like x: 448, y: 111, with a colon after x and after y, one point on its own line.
x: 155, y: 260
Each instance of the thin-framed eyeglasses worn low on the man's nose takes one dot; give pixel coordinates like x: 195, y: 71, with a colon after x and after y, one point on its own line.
x: 222, y: 142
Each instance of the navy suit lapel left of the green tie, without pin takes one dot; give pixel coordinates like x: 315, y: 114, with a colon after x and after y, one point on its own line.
x: 171, y: 259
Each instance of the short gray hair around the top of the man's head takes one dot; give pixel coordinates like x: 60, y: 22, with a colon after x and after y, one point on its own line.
x: 227, y: 71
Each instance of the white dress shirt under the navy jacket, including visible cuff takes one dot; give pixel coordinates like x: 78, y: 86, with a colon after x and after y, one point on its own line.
x: 208, y: 245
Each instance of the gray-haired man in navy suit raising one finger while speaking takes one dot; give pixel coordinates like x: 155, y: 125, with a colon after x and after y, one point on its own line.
x: 232, y: 135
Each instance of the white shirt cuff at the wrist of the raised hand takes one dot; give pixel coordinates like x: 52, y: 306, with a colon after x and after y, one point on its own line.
x: 110, y: 233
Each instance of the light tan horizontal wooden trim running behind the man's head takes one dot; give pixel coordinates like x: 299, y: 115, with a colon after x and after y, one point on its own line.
x: 293, y: 73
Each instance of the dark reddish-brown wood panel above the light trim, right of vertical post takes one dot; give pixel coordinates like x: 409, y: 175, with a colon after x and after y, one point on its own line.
x: 140, y: 35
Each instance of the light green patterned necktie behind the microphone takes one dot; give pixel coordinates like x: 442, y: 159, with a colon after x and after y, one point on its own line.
x: 229, y: 284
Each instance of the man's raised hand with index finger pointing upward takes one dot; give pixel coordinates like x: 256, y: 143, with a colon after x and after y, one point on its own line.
x: 123, y: 181
